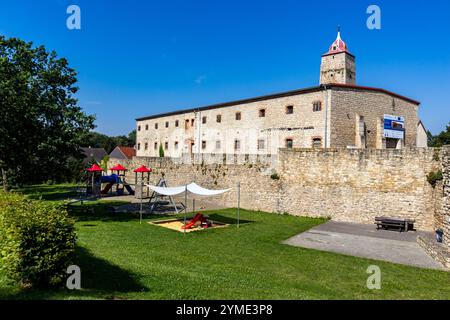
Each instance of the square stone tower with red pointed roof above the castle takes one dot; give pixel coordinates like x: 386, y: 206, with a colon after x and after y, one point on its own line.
x: 338, y: 64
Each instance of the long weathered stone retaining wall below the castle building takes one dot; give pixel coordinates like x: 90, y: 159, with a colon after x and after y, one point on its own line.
x: 343, y: 184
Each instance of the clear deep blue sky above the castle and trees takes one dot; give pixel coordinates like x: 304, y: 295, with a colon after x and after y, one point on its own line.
x: 137, y: 58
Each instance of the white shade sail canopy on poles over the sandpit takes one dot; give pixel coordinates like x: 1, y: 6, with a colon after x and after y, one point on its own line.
x: 195, y: 191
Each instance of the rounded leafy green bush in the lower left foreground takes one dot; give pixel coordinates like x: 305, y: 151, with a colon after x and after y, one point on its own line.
x: 37, y: 241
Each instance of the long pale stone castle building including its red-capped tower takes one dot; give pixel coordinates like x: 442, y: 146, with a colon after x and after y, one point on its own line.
x: 337, y: 113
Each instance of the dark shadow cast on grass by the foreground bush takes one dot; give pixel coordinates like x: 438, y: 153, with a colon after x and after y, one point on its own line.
x: 99, y: 280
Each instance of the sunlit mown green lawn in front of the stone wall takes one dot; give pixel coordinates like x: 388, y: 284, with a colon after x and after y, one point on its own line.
x: 122, y: 259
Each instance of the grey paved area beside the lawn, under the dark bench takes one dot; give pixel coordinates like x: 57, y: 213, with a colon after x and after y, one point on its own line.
x: 366, y: 241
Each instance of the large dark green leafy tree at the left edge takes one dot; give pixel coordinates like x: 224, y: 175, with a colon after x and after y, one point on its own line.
x: 41, y: 125
